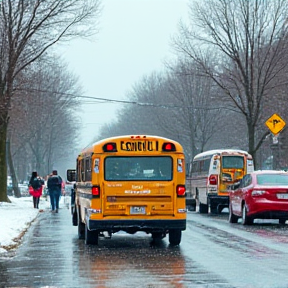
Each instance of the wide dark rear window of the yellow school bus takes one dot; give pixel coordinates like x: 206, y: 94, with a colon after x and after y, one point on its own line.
x: 138, y: 168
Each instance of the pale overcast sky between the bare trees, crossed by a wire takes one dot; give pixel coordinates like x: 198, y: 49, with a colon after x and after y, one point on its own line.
x: 133, y: 41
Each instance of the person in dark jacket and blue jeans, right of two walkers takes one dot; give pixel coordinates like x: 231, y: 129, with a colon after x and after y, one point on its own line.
x: 54, y: 185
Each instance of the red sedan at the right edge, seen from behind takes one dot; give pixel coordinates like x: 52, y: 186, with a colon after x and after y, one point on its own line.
x: 261, y: 194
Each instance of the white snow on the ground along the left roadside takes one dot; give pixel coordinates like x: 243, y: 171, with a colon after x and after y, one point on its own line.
x: 16, y: 218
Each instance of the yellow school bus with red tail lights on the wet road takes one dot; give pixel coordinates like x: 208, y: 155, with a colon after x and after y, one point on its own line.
x: 131, y: 184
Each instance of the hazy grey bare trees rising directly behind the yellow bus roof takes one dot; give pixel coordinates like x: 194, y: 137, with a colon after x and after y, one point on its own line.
x: 176, y: 105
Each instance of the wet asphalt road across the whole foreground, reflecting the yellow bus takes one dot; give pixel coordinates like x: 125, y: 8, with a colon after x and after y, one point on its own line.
x: 212, y: 254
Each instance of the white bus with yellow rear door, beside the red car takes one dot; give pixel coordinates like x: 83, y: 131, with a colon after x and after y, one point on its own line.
x: 214, y: 172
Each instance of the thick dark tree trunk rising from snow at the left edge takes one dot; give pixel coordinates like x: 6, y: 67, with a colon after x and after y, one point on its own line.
x: 3, y: 167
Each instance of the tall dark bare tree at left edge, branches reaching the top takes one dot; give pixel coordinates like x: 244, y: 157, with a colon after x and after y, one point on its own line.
x: 27, y: 30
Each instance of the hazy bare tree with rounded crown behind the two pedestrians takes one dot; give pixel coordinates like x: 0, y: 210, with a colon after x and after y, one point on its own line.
x: 45, y: 114
